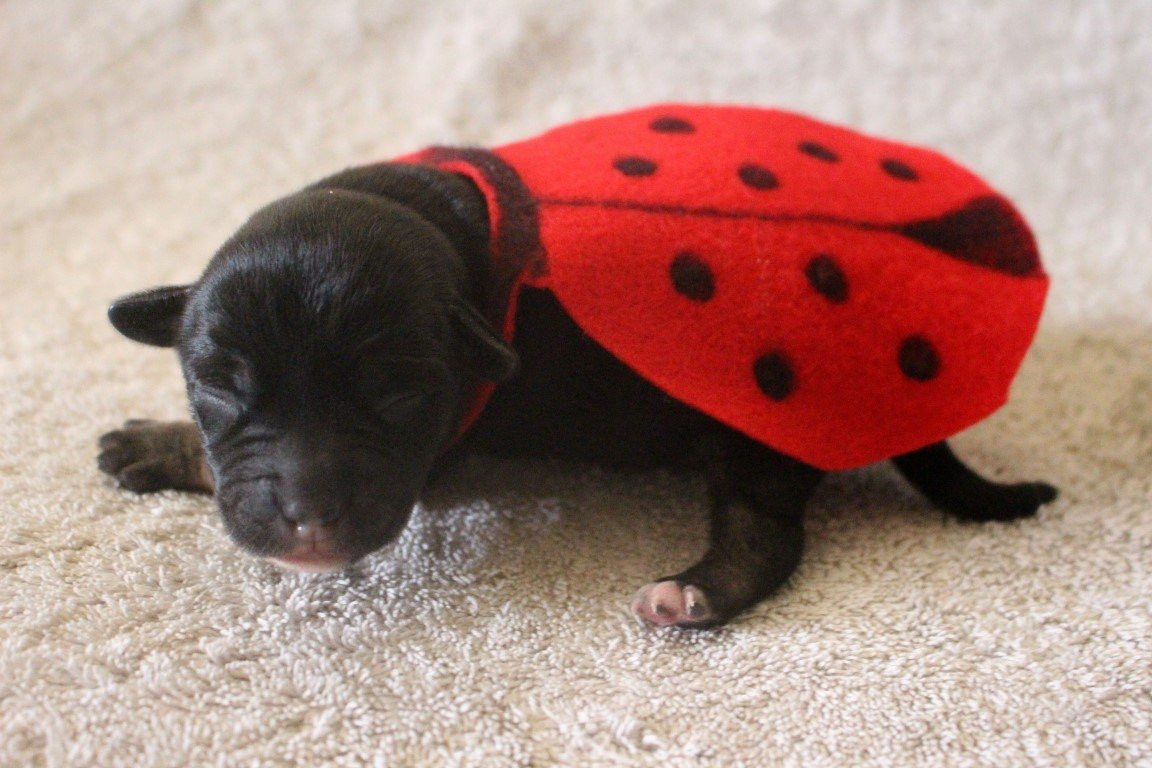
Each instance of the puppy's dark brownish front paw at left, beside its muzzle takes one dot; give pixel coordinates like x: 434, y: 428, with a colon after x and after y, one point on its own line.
x: 146, y: 457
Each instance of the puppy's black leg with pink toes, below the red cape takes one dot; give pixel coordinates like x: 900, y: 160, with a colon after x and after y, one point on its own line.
x: 757, y: 535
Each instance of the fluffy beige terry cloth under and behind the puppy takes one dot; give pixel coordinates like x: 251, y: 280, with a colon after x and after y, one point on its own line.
x: 135, y: 136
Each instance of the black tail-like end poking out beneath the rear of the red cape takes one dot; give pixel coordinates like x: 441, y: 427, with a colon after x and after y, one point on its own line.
x: 941, y: 476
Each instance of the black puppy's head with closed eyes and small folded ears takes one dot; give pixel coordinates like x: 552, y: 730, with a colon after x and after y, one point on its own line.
x: 329, y: 353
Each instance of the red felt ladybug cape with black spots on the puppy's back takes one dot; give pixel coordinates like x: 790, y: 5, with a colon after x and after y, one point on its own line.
x: 838, y: 298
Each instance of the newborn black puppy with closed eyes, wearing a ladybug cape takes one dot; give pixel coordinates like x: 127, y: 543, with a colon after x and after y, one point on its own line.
x: 334, y: 346
